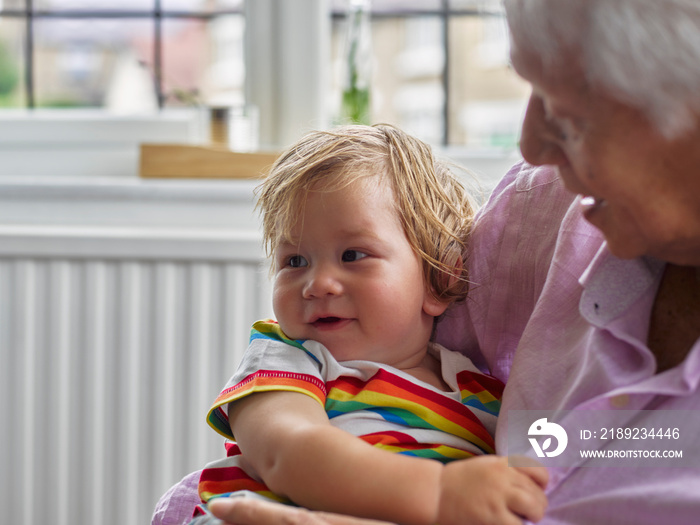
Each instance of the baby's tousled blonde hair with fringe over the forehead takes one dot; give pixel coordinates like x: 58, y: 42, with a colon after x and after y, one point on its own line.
x: 434, y: 208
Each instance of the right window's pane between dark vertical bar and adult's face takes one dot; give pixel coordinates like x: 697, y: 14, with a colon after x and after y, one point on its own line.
x: 487, y: 98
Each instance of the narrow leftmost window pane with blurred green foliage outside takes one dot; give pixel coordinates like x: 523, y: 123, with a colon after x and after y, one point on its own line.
x: 12, y: 87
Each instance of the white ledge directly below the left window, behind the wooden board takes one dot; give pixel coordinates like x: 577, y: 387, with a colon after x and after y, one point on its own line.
x: 87, y: 142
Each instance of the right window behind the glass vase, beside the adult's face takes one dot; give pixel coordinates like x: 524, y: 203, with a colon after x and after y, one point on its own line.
x: 441, y: 71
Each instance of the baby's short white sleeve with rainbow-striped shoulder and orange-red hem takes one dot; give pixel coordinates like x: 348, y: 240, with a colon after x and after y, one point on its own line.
x: 272, y: 362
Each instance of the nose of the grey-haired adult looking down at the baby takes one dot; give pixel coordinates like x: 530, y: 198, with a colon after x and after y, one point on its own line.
x: 540, y: 139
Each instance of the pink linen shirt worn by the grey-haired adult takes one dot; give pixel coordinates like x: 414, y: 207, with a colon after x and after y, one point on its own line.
x: 564, y: 322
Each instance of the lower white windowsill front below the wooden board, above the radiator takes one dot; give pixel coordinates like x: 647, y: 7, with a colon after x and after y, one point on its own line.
x: 122, y: 202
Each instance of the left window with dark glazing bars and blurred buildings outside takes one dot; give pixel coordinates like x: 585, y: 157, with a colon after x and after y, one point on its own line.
x: 141, y: 55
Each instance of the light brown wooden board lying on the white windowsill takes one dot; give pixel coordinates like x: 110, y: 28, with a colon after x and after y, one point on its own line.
x: 193, y: 162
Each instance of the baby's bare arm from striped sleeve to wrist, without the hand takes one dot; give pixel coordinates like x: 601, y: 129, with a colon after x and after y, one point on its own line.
x: 288, y: 439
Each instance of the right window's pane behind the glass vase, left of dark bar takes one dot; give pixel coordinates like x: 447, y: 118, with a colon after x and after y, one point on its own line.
x: 407, y: 68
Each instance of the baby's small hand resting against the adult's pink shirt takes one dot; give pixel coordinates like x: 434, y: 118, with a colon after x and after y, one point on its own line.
x: 484, y: 490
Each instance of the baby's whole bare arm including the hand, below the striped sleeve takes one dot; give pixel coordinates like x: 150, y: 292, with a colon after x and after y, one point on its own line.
x: 288, y: 439
